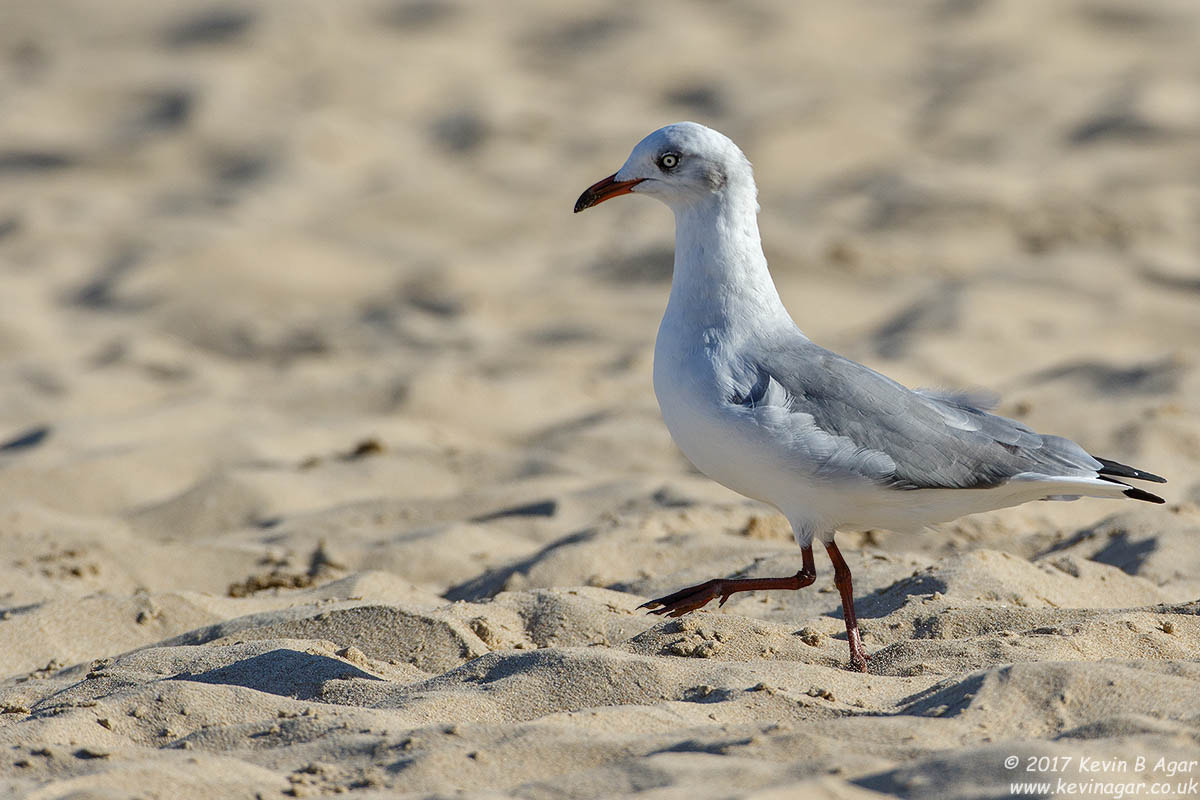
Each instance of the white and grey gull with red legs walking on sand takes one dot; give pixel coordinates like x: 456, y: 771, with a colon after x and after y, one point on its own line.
x: 832, y: 444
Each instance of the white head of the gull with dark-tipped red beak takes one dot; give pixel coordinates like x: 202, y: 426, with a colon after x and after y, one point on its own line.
x: 680, y: 165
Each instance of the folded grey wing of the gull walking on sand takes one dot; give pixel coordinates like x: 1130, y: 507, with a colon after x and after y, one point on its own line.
x: 911, y: 440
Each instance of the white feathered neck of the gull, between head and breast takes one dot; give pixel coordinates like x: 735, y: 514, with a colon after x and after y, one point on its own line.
x: 721, y: 278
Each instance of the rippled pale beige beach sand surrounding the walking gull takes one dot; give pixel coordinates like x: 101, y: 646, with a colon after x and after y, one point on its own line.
x: 329, y: 460
